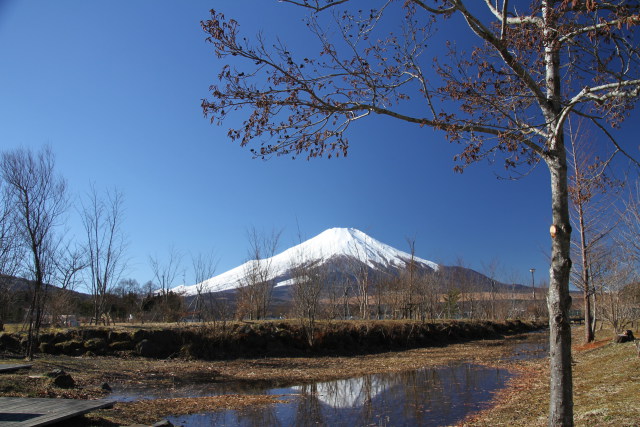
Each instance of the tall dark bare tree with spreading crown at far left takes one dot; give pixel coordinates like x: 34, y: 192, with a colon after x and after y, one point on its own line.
x: 38, y: 198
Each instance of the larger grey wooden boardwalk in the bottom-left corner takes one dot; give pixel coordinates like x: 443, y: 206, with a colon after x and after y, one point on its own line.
x: 23, y: 412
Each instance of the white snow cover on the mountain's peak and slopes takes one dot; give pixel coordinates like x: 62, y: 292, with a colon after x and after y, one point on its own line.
x: 326, y: 245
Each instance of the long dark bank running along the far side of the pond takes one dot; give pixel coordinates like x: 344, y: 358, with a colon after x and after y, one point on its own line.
x: 218, y: 341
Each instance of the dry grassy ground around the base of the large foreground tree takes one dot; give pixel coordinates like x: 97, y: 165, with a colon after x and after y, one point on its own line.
x: 606, y: 388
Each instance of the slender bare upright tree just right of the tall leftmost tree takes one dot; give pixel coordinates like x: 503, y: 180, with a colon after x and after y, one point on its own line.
x: 105, y: 246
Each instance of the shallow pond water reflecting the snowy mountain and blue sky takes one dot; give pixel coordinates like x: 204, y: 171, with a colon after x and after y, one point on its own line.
x: 425, y: 397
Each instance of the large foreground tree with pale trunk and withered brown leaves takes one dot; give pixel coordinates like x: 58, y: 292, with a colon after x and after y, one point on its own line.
x: 509, y: 94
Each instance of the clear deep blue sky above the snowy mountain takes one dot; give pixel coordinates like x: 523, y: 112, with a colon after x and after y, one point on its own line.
x: 115, y: 89
